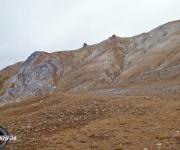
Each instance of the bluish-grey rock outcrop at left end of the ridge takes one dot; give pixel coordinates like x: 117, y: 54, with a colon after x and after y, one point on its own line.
x: 36, y: 77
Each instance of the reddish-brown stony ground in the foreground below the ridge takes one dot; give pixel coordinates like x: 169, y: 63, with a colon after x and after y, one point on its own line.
x: 65, y: 121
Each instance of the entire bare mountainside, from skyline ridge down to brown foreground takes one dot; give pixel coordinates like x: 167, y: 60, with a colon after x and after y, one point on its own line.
x: 119, y: 94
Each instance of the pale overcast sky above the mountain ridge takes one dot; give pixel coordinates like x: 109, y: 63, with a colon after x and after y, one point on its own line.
x: 52, y: 25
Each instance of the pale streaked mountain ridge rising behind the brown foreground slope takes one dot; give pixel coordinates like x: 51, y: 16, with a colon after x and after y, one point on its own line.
x: 147, y: 63
